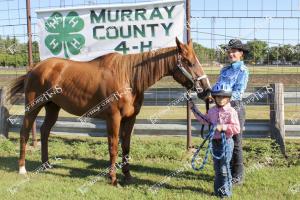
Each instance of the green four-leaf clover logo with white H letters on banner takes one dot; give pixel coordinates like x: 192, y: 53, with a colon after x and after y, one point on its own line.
x: 64, y: 34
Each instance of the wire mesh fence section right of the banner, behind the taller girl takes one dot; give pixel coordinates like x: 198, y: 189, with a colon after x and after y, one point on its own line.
x: 271, y: 30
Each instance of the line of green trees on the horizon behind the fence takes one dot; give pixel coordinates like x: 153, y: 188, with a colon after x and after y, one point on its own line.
x: 14, y: 53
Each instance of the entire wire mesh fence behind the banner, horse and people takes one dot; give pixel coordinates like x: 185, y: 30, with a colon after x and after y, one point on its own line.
x: 269, y: 27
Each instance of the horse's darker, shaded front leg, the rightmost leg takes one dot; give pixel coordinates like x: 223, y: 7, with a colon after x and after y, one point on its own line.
x: 127, y: 125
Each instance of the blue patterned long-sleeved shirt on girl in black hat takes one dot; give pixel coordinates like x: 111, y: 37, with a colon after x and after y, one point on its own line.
x: 236, y: 75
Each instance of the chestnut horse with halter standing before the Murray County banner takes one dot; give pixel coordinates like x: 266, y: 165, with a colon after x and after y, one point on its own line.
x: 85, y: 84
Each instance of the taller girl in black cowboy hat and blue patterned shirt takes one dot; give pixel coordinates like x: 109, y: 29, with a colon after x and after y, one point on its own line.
x: 236, y: 76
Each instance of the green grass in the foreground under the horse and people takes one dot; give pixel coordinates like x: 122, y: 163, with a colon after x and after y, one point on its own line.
x: 152, y: 160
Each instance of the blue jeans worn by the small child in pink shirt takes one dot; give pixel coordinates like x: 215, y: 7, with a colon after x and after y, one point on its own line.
x: 222, y: 185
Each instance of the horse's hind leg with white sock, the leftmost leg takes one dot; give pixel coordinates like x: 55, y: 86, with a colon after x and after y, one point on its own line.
x: 28, y: 120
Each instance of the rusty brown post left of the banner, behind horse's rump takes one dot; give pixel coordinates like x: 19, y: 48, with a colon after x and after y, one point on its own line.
x: 30, y: 61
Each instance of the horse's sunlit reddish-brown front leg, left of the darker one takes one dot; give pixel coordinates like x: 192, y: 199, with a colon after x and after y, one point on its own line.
x: 113, y: 128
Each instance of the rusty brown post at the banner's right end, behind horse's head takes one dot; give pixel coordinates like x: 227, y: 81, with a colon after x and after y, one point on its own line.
x: 188, y: 110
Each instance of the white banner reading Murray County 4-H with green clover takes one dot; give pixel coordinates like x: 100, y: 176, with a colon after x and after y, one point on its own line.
x: 85, y: 33
